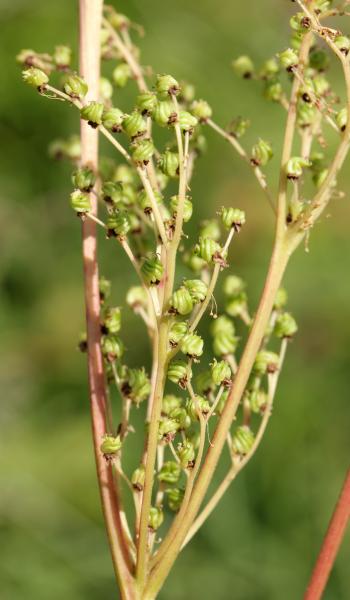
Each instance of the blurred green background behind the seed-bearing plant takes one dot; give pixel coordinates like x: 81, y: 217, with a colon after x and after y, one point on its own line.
x: 261, y: 543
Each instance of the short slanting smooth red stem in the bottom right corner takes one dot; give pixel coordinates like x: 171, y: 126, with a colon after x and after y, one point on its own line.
x: 331, y: 544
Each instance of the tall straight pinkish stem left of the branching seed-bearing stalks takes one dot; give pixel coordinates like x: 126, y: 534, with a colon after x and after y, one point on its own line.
x: 90, y: 15
